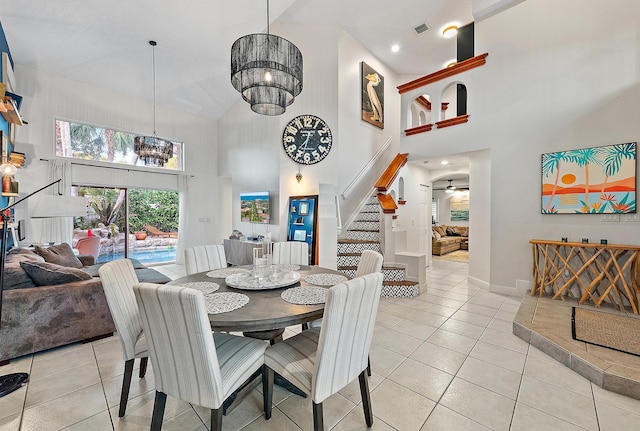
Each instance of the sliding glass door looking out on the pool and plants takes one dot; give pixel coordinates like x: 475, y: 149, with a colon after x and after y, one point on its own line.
x: 141, y: 224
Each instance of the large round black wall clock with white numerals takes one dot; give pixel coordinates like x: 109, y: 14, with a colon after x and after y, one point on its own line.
x: 307, y: 139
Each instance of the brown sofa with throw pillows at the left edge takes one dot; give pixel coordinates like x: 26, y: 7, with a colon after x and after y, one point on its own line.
x: 53, y: 298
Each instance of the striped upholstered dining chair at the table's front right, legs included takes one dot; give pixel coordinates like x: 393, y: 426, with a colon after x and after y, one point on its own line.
x: 322, y: 361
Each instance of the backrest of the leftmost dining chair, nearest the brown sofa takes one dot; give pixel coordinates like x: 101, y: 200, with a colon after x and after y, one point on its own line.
x: 118, y: 278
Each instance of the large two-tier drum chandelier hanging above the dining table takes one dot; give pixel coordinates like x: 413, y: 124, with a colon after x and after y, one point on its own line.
x: 267, y: 70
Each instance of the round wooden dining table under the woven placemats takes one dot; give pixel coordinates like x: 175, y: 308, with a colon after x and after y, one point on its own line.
x: 266, y: 312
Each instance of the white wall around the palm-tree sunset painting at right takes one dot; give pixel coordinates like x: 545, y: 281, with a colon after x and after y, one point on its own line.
x: 559, y: 76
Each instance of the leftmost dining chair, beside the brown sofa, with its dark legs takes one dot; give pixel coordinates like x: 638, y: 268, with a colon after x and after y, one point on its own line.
x: 118, y: 278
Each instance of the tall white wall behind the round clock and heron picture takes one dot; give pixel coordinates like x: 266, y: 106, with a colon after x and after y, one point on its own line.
x: 332, y: 92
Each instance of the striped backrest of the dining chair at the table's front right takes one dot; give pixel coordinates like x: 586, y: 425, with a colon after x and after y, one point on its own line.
x: 346, y: 333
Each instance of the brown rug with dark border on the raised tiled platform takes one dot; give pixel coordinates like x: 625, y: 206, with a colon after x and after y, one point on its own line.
x: 606, y: 330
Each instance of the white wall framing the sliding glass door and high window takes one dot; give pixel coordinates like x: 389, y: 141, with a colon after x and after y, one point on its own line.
x: 47, y: 97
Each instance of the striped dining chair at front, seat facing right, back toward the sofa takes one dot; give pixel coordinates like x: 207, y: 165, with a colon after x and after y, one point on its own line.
x: 190, y: 362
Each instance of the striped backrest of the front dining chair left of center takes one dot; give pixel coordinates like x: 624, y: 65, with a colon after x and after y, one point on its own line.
x: 181, y: 347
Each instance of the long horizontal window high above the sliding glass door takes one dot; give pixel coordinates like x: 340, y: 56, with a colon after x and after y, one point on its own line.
x: 88, y: 142
